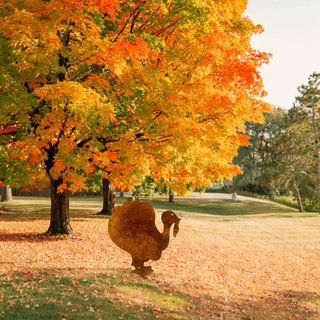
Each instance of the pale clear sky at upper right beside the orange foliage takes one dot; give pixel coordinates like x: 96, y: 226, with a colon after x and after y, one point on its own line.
x: 292, y: 35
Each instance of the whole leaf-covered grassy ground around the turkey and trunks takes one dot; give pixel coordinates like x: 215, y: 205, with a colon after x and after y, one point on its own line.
x: 231, y: 260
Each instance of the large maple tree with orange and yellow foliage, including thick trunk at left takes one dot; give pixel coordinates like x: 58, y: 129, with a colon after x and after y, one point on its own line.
x: 129, y: 87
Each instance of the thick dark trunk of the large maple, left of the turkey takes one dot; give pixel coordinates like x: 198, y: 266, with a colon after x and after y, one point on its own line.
x: 59, y: 222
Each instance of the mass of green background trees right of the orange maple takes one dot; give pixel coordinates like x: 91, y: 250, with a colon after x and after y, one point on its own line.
x: 284, y: 153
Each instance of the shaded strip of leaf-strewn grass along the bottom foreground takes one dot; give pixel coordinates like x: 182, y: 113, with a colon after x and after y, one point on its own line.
x: 47, y: 294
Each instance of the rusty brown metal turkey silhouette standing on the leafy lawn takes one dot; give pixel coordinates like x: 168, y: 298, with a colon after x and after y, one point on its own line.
x: 132, y: 228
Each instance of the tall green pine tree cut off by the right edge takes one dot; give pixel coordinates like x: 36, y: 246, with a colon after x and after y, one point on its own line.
x: 302, y: 159
